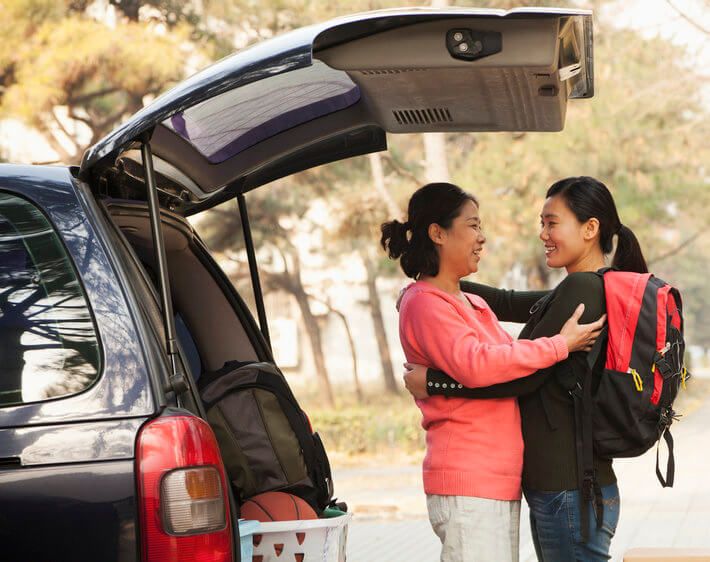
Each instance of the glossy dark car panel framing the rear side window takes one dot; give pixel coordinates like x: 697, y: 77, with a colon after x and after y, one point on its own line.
x: 122, y: 389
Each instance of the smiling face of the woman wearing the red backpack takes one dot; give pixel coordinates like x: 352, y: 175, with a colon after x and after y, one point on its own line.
x: 568, y: 242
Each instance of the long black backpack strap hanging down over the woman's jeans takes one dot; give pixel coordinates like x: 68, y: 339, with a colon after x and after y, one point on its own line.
x: 589, y: 489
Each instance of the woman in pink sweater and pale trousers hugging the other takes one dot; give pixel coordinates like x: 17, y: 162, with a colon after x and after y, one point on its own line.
x: 474, y: 452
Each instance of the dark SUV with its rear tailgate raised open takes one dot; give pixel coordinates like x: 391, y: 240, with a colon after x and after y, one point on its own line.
x: 111, y: 307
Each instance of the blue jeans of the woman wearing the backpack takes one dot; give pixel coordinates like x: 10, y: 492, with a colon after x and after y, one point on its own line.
x: 556, y: 526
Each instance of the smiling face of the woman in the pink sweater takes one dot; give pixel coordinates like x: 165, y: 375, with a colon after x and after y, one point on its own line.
x: 460, y: 245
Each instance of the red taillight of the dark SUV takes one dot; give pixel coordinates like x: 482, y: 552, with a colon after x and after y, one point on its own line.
x: 184, y: 511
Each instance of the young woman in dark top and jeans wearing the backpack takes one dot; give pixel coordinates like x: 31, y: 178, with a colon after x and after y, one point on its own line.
x: 579, y: 223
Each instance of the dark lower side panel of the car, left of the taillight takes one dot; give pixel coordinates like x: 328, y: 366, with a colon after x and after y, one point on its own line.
x: 69, y: 513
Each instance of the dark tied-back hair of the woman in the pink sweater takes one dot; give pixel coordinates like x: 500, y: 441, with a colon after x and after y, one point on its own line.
x: 435, y: 203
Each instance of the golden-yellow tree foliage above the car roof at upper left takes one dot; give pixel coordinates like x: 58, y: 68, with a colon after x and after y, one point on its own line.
x: 74, y: 78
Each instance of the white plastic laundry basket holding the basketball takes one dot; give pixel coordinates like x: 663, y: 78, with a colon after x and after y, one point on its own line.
x: 312, y: 540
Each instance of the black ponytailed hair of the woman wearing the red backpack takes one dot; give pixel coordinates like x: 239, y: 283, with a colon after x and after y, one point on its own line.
x: 587, y: 197
